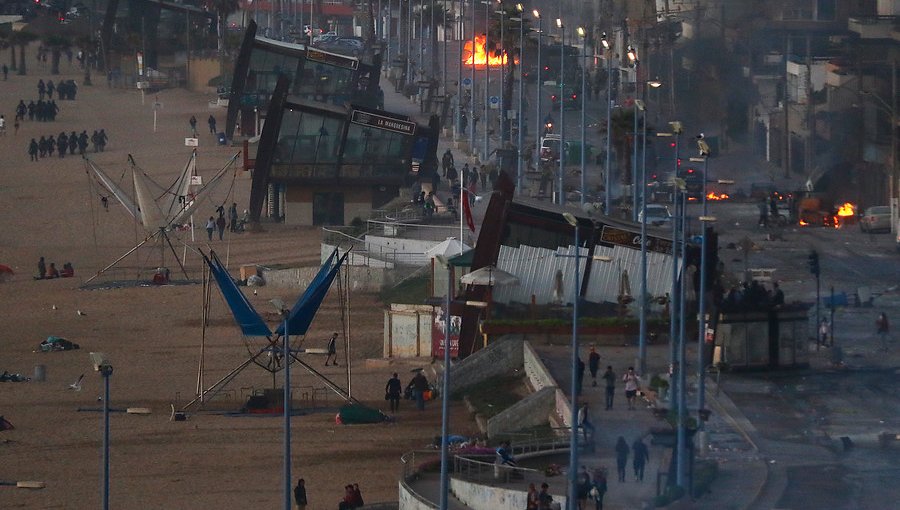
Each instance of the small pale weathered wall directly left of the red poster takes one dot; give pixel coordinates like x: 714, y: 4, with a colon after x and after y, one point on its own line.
x: 407, y: 331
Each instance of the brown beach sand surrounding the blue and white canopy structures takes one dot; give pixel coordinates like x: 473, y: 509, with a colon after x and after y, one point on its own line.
x: 152, y: 335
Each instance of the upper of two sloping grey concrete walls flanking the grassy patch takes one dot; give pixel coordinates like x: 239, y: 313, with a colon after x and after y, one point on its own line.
x: 498, y: 358
